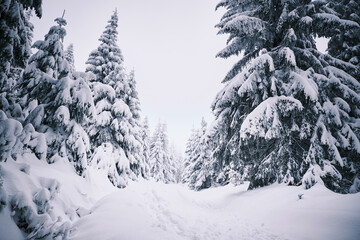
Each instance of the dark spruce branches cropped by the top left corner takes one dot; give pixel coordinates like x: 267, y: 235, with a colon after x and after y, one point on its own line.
x: 14, y: 45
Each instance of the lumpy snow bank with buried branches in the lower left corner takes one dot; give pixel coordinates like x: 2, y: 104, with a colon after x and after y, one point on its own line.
x: 45, y: 198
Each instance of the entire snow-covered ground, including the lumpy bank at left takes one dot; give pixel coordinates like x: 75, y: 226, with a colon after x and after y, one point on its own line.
x: 53, y: 199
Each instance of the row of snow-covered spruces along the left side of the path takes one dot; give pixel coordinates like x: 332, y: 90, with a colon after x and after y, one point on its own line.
x: 91, y: 118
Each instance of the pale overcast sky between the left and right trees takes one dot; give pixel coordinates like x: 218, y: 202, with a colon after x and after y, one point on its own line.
x: 171, y: 44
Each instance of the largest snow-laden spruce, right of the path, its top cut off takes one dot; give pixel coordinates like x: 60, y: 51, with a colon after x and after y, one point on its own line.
x: 287, y: 112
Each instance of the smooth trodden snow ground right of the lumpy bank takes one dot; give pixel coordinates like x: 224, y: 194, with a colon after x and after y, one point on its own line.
x: 150, y: 210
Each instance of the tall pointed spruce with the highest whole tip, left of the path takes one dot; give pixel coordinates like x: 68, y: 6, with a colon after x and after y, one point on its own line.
x: 116, y: 129
